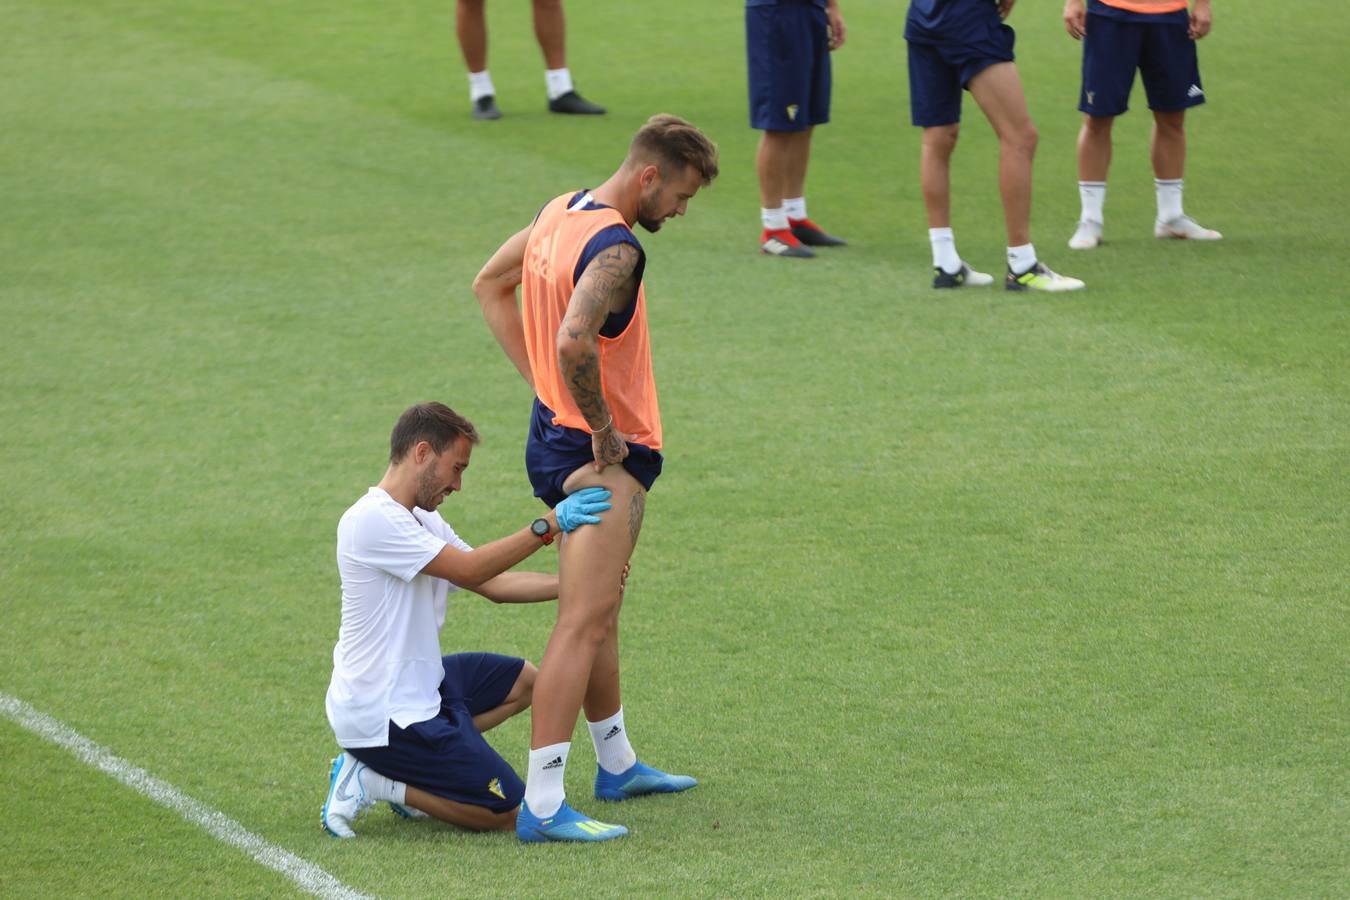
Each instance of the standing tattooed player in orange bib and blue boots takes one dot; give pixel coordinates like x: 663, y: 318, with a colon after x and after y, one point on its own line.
x: 580, y: 339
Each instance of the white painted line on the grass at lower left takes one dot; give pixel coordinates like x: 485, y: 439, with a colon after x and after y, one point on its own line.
x: 306, y: 875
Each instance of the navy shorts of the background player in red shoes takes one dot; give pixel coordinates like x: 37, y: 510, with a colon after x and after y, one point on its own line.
x: 789, y: 52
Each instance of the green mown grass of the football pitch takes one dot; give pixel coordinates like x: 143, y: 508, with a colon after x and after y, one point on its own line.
x: 969, y: 594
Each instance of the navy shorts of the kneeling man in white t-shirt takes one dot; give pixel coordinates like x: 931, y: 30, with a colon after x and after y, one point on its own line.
x: 446, y: 755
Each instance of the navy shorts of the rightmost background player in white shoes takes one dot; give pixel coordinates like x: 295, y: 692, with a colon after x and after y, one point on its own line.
x: 1156, y: 44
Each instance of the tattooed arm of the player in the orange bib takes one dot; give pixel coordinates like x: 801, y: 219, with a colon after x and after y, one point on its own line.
x: 605, y: 287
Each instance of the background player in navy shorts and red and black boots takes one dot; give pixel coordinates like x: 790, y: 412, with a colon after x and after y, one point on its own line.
x: 789, y: 47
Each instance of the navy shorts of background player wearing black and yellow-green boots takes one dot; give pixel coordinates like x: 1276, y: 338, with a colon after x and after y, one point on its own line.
x: 946, y: 59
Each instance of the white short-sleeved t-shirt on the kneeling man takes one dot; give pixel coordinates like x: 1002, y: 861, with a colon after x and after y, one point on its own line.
x: 387, y: 663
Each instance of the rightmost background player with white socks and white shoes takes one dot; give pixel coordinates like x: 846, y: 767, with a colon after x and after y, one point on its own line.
x: 1156, y: 37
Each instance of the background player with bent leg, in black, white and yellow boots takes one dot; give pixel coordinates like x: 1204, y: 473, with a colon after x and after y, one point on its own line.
x: 963, y: 45
